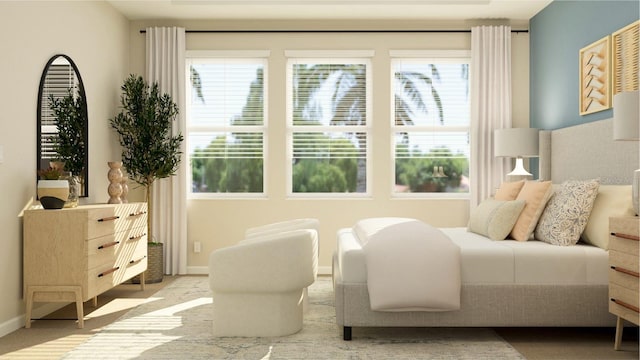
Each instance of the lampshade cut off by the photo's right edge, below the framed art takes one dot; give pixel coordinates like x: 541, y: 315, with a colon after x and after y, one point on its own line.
x: 626, y: 115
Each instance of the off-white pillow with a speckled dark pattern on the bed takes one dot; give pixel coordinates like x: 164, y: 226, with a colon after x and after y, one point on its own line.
x: 566, y: 214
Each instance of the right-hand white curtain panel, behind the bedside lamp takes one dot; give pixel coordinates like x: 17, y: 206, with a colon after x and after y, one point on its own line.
x: 490, y: 106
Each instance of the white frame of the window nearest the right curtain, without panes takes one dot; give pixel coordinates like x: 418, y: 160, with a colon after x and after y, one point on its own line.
x: 429, y: 56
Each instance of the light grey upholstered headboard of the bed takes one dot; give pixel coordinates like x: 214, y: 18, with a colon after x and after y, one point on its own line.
x: 587, y: 151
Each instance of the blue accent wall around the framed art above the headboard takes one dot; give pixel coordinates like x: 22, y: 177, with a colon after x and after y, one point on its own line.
x: 556, y: 35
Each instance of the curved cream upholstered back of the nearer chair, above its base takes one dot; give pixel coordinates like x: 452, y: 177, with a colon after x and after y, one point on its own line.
x: 272, y: 263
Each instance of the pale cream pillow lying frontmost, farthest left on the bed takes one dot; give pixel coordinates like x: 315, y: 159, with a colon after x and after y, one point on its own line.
x: 495, y: 218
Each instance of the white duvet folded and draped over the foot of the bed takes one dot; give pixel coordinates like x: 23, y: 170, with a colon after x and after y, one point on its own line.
x: 411, y: 266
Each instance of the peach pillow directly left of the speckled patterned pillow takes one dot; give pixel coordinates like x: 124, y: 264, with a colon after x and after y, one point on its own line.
x: 535, y: 194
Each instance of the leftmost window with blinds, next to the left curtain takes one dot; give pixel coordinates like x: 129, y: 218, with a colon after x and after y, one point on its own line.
x: 226, y: 125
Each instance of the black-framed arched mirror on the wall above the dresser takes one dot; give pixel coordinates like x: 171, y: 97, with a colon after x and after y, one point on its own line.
x: 63, y: 129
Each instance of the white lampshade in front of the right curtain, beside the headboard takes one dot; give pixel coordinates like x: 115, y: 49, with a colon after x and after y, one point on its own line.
x: 516, y: 142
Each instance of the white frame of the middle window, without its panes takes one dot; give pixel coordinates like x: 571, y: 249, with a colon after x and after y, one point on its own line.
x: 329, y: 57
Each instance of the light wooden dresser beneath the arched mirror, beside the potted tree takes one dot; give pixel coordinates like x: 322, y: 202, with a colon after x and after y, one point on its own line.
x: 75, y: 254
